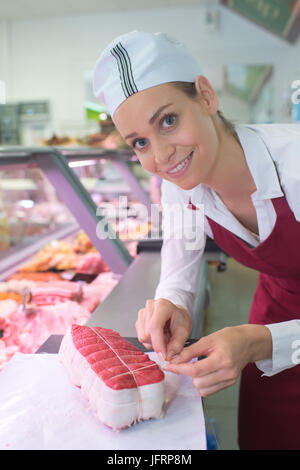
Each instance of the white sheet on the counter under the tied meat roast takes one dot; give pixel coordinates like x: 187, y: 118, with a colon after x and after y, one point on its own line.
x: 41, y: 410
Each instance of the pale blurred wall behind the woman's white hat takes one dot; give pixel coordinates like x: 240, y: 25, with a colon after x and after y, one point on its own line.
x: 46, y: 58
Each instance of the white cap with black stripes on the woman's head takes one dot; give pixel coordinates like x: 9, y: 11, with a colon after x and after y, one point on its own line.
x: 139, y: 60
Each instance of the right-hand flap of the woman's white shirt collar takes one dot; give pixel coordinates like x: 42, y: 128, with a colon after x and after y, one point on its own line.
x: 260, y: 163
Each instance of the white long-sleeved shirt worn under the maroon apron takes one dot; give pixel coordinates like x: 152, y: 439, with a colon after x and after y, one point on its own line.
x: 264, y: 145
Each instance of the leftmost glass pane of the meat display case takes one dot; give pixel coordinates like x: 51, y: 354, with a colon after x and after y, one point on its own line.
x: 29, y: 207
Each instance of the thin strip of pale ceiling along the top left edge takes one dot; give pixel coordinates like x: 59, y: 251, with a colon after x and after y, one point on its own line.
x: 29, y: 9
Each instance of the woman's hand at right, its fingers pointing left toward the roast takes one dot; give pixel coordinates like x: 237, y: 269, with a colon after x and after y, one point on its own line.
x: 227, y: 352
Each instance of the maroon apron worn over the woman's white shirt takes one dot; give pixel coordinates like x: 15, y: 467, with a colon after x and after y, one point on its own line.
x: 269, y: 407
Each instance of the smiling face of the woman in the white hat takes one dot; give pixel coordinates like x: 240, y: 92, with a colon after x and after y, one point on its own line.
x: 173, y: 135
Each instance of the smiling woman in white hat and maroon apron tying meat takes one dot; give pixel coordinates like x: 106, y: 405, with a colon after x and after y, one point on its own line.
x: 247, y: 178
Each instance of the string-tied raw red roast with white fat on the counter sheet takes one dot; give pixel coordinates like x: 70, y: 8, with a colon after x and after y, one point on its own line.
x: 121, y: 383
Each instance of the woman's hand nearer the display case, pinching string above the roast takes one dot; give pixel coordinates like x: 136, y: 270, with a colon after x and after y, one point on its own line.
x: 163, y: 326
